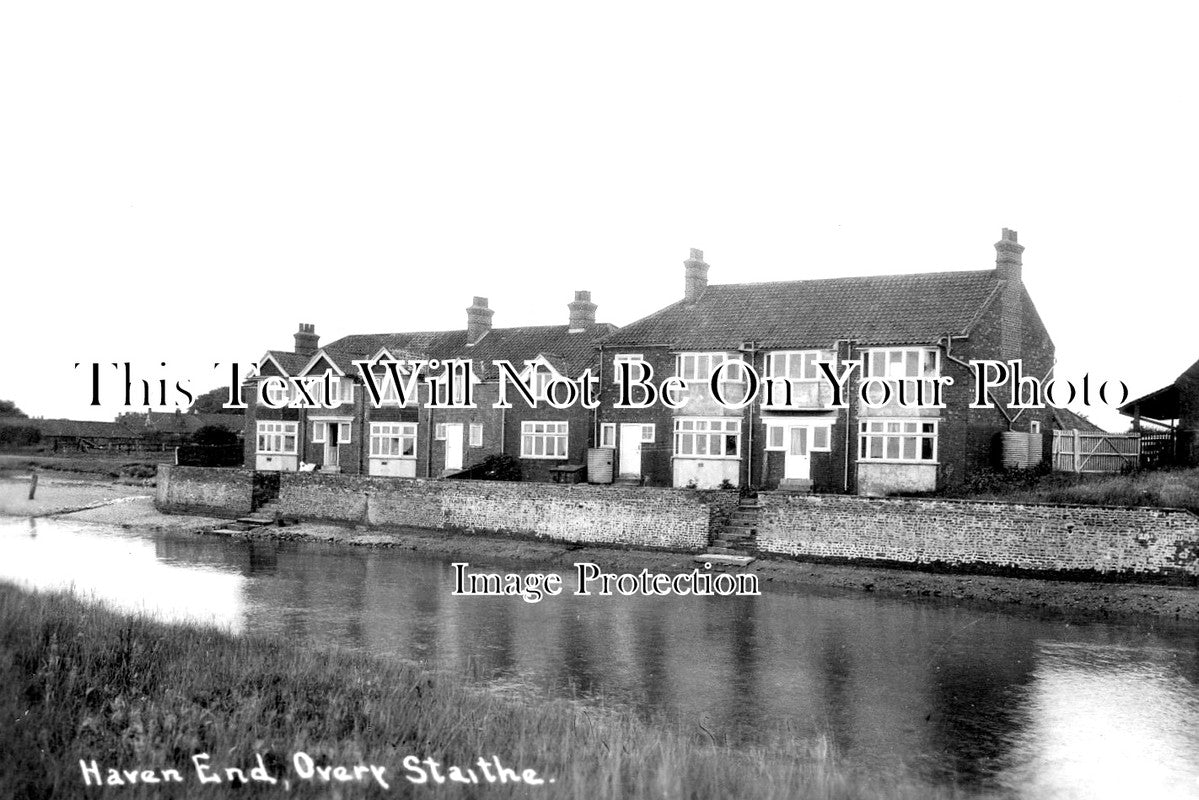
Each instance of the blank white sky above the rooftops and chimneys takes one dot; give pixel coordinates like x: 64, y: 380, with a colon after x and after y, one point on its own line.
x: 186, y: 183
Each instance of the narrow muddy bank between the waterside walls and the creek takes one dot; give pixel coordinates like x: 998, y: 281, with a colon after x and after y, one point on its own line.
x: 131, y: 508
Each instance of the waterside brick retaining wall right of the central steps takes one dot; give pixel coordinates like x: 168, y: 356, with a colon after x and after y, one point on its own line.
x: 1147, y: 545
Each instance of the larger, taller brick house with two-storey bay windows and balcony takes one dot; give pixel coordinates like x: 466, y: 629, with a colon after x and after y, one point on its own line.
x: 906, y: 329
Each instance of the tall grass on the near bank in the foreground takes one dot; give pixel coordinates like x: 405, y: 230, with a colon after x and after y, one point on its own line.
x: 83, y: 683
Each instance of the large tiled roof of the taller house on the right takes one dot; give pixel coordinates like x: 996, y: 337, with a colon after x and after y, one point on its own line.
x: 881, y: 310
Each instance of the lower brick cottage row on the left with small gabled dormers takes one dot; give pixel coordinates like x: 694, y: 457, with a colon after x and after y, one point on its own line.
x: 414, y: 441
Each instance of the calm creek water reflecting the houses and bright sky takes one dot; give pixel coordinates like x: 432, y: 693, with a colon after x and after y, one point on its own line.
x: 997, y: 703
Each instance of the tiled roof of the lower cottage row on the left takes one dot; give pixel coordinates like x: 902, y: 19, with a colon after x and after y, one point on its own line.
x: 569, y: 352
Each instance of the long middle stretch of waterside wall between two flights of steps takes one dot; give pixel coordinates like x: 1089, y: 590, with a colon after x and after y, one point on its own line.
x: 631, y: 516
